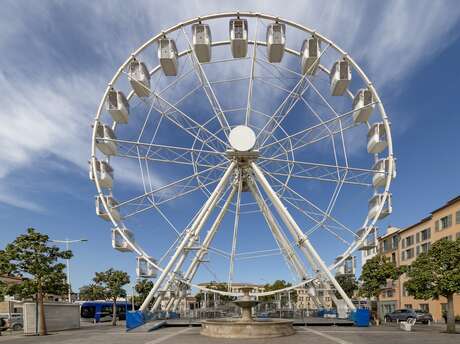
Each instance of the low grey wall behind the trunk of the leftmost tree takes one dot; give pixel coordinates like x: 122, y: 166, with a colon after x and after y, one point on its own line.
x: 58, y: 317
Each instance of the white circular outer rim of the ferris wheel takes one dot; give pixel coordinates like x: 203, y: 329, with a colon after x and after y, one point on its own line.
x: 368, y: 223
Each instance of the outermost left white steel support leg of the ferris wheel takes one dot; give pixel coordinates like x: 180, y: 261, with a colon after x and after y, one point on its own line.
x: 192, y: 232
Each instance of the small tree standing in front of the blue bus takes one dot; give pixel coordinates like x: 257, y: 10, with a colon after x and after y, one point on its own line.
x: 112, y: 281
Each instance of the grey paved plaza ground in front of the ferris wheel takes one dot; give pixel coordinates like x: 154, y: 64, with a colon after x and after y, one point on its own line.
x: 191, y: 335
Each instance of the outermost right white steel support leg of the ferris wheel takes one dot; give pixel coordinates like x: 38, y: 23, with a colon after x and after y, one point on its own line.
x: 302, y: 239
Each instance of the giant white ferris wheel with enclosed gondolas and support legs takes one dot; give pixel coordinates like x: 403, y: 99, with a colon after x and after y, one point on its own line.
x: 243, y: 125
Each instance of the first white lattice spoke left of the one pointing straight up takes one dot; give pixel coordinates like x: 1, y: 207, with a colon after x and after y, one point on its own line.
x: 209, y: 91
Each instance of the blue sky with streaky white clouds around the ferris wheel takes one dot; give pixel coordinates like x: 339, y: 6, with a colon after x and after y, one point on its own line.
x: 57, y: 58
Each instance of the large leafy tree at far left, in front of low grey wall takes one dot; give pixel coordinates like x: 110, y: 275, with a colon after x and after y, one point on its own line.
x: 30, y: 257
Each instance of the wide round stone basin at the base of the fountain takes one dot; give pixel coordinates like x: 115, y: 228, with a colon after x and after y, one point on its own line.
x: 235, y: 328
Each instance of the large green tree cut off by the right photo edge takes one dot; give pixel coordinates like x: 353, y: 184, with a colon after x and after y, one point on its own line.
x: 437, y: 273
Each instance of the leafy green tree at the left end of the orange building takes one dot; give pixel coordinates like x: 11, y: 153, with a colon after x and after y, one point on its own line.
x: 374, y: 276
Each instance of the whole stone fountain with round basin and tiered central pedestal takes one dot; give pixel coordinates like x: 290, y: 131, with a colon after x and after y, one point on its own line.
x: 246, y: 326
